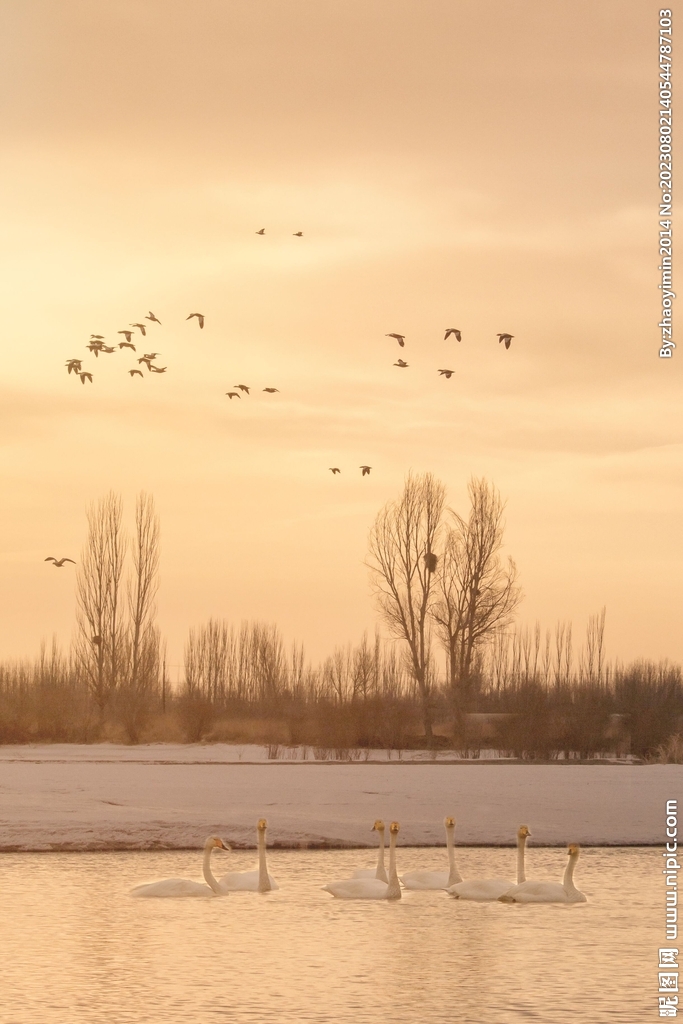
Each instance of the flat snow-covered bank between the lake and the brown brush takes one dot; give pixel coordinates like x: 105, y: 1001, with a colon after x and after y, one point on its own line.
x: 106, y: 797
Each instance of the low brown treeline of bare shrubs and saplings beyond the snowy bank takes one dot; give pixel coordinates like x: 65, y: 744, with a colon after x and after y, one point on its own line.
x: 529, y: 697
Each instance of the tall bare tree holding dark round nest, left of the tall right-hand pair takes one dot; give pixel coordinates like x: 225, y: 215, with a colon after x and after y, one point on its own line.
x: 402, y: 563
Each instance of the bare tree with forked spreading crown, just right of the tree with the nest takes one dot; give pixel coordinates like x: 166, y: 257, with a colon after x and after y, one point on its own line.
x: 478, y: 592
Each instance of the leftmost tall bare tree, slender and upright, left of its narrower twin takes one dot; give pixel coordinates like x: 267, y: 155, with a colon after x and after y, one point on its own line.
x: 101, y: 641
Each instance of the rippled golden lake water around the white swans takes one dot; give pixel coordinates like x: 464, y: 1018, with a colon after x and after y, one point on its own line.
x: 75, y: 948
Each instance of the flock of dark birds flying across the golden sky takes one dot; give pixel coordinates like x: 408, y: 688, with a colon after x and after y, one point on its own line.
x: 97, y: 347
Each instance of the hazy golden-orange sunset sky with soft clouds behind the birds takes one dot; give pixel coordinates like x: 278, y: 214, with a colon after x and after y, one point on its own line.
x: 450, y: 164
